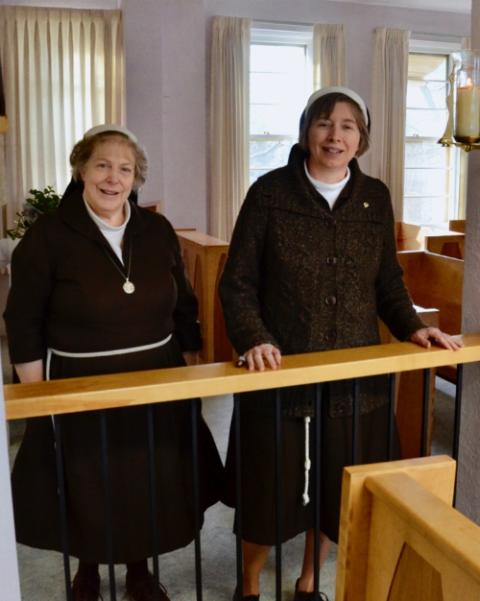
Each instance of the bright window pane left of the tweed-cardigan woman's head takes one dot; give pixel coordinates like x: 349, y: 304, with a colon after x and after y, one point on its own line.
x: 281, y: 78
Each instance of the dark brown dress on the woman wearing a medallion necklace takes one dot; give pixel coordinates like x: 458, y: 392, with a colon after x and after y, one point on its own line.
x: 67, y: 294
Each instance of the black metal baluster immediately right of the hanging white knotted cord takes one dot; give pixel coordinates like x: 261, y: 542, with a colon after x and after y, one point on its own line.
x: 317, y: 495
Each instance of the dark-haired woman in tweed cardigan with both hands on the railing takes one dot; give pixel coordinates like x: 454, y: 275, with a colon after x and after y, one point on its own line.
x: 311, y: 266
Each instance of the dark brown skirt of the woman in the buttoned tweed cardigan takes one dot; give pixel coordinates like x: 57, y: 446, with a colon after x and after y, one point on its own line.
x: 258, y: 467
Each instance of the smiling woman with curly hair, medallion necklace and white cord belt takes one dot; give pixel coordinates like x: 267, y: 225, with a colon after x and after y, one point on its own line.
x: 99, y: 287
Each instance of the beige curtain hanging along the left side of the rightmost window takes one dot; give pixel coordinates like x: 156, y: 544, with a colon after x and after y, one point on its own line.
x: 389, y: 98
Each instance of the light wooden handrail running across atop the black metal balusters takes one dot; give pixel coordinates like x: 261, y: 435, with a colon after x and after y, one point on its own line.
x: 162, y: 385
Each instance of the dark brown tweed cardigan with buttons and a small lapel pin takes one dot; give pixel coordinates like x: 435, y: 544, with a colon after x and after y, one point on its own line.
x: 307, y: 278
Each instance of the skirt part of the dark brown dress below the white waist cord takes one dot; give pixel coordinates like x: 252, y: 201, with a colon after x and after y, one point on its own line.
x: 34, y: 478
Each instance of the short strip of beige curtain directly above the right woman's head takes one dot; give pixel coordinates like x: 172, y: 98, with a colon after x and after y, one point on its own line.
x: 328, y: 56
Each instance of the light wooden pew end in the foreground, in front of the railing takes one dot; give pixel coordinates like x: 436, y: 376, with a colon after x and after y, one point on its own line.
x: 400, y: 539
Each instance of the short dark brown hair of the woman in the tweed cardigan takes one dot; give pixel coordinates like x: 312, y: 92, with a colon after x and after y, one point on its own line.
x: 323, y: 108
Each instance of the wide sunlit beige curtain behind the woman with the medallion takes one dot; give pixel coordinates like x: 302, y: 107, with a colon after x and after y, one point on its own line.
x: 63, y: 72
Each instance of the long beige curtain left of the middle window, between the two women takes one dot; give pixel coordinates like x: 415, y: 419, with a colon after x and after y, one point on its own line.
x: 229, y: 89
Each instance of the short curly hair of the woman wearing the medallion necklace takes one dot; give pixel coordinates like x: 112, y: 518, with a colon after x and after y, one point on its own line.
x: 83, y: 150
